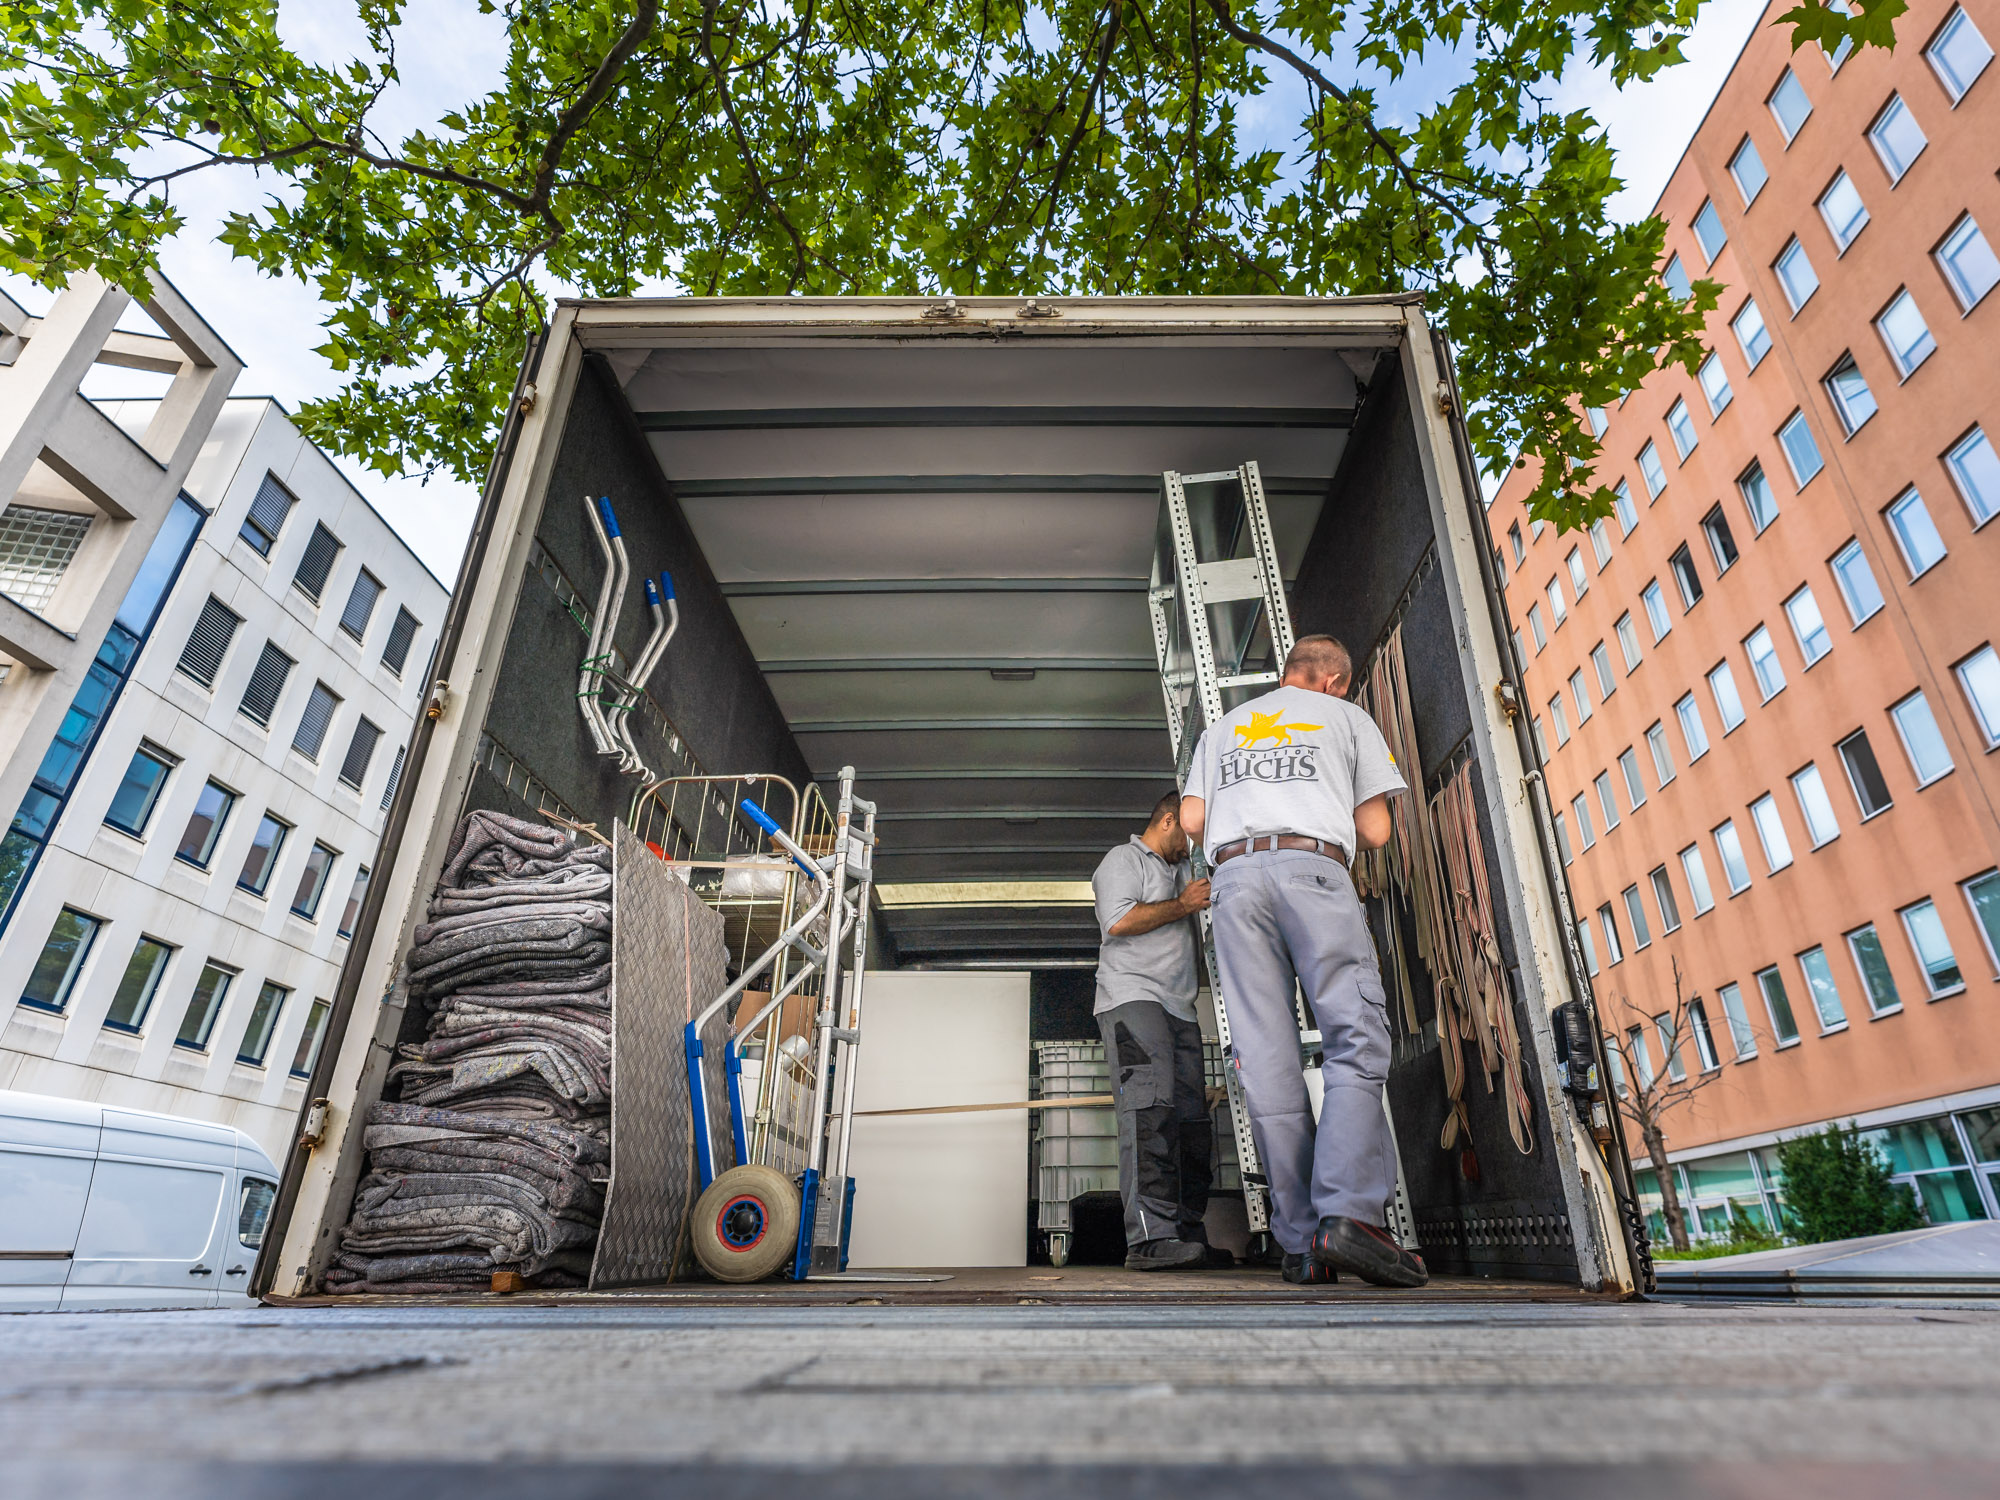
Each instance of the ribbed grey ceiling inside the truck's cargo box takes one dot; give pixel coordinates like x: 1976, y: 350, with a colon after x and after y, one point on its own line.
x: 939, y: 553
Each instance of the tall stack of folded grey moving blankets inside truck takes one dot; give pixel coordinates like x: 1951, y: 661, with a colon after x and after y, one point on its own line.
x: 497, y: 1153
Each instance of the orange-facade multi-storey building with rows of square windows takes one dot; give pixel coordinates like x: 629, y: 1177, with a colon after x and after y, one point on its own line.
x: 1767, y: 691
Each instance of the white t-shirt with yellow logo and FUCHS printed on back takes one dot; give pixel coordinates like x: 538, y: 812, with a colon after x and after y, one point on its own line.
x: 1291, y: 763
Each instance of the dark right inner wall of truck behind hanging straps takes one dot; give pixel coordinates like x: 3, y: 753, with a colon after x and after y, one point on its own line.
x: 1367, y: 549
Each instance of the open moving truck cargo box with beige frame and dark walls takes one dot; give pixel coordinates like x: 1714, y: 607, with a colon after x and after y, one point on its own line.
x: 913, y: 537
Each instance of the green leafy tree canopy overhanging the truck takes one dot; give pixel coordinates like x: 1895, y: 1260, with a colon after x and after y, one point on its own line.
x: 881, y: 147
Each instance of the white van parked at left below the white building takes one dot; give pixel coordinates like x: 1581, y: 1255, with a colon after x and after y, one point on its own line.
x: 125, y: 1209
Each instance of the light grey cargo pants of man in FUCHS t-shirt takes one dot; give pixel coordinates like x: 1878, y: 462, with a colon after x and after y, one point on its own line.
x: 1285, y: 915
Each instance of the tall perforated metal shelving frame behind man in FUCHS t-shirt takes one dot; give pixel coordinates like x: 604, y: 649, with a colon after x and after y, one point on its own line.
x: 1217, y: 603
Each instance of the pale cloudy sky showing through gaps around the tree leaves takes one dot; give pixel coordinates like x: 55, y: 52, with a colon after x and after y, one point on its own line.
x: 449, y: 53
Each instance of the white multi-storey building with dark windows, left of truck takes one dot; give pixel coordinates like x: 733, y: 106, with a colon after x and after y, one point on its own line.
x: 177, y: 943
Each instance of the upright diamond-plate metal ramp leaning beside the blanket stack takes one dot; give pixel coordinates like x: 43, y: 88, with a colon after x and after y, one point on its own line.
x: 667, y: 963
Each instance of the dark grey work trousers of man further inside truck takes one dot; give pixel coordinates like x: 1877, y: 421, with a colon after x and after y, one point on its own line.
x: 1167, y: 1141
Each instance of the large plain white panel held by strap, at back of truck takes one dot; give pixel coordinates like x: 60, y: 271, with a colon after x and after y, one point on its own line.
x: 941, y: 1189
